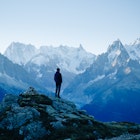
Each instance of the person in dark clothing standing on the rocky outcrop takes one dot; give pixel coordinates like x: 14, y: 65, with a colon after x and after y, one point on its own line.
x: 58, y: 81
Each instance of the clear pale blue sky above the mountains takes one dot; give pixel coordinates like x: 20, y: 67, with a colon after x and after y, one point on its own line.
x: 94, y: 24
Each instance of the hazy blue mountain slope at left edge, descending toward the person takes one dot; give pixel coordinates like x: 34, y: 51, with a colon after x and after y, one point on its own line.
x: 14, y: 78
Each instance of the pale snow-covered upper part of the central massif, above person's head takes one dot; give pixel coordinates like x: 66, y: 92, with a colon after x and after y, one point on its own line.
x: 71, y: 59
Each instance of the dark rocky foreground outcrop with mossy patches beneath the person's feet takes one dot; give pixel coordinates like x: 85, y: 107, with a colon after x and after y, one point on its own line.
x: 33, y: 116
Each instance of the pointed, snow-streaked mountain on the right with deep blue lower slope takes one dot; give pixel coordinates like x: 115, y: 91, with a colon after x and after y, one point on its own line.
x: 110, y: 88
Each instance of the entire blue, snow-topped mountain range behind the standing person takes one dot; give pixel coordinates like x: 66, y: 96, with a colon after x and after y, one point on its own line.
x: 107, y: 85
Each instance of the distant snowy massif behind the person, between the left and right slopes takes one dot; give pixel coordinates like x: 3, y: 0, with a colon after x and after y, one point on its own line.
x: 41, y: 63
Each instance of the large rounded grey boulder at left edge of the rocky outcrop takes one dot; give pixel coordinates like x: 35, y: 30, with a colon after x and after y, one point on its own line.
x: 18, y: 116
